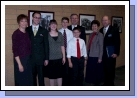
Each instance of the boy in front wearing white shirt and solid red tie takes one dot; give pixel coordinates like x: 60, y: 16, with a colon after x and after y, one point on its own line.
x: 77, y: 57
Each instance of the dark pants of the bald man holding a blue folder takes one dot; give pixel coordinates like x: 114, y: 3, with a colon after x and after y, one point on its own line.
x: 109, y: 70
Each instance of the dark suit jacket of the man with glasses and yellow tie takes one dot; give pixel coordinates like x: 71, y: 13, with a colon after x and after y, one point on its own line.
x: 39, y: 44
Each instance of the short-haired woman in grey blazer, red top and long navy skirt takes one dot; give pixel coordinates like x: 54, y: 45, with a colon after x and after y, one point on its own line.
x: 94, y: 68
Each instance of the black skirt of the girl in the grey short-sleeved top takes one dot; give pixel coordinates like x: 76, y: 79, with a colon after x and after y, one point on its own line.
x: 54, y: 69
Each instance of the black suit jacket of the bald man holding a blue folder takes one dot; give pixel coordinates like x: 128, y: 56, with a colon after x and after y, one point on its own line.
x: 112, y: 37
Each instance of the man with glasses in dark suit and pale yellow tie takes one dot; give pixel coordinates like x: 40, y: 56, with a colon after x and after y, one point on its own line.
x: 39, y: 48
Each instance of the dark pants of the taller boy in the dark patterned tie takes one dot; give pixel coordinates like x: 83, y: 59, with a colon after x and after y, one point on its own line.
x: 65, y: 75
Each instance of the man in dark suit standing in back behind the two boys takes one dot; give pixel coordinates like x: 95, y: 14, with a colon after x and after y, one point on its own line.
x: 74, y: 23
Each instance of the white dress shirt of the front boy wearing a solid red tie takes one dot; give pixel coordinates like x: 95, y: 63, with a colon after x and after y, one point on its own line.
x: 72, y: 48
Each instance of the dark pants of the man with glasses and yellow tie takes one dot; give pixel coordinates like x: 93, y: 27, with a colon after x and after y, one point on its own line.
x: 37, y: 70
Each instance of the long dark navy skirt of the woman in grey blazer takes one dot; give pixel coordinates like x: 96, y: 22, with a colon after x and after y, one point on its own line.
x: 94, y: 71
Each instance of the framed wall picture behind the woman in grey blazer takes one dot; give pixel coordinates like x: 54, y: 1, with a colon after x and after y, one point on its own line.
x: 89, y: 21
